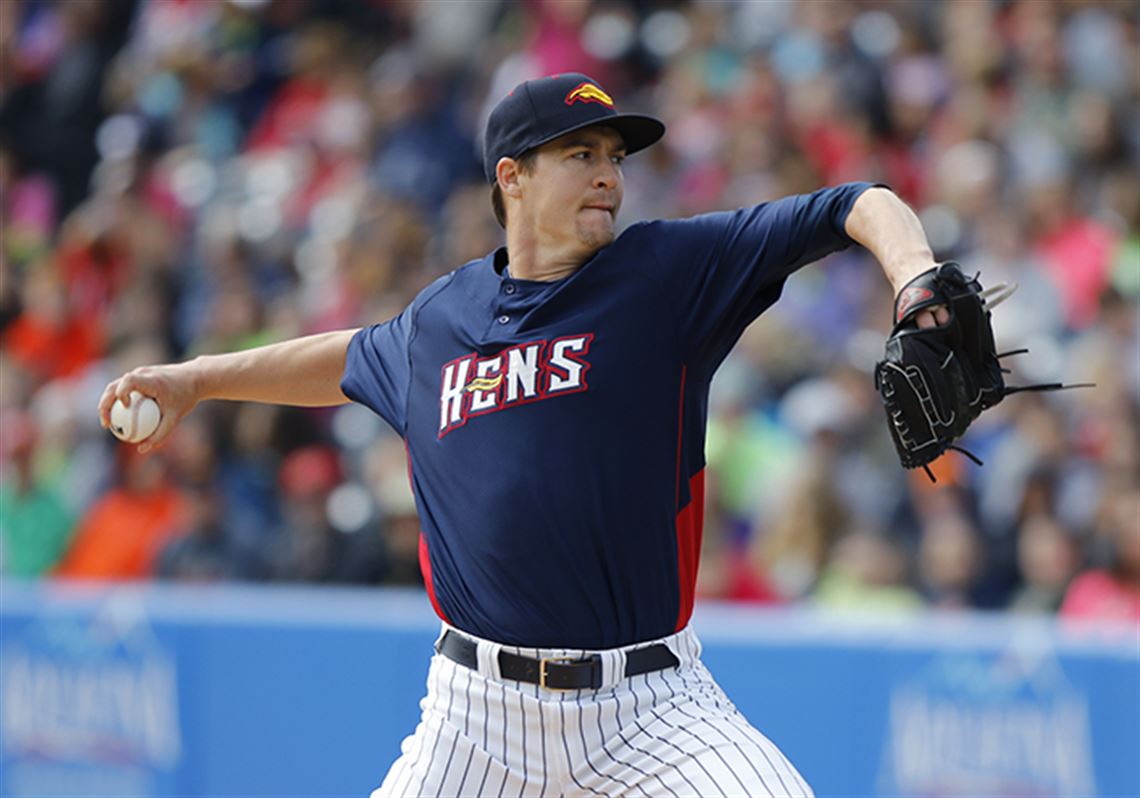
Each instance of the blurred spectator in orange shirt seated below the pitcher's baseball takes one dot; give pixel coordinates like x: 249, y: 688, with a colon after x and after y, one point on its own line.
x: 124, y: 532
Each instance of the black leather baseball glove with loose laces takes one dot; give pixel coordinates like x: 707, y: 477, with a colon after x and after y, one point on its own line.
x: 935, y: 382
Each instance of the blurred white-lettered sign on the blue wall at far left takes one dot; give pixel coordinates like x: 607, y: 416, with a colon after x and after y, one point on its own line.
x: 91, y: 705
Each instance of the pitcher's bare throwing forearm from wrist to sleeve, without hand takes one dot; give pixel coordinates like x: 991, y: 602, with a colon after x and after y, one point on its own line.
x: 304, y: 372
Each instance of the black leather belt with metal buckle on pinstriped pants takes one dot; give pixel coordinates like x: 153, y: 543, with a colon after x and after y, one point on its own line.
x: 553, y: 673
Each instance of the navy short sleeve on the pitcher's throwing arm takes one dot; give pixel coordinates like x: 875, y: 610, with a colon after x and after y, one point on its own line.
x: 378, y: 371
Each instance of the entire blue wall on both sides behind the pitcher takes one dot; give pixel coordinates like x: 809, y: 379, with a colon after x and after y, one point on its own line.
x: 266, y: 691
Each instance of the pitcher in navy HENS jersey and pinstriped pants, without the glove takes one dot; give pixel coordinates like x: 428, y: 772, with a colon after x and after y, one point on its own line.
x: 553, y: 397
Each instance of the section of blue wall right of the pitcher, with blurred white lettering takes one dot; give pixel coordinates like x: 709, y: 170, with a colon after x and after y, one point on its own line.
x: 939, y: 706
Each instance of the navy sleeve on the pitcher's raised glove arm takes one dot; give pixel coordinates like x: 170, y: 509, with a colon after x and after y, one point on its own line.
x: 722, y: 271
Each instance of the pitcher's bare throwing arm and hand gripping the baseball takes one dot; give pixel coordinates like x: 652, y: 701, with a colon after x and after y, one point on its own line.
x: 304, y: 372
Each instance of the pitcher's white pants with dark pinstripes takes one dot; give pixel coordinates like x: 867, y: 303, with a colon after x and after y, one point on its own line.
x: 669, y: 734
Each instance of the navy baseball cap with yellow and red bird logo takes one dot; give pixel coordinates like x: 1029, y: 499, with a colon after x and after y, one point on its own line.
x: 540, y: 111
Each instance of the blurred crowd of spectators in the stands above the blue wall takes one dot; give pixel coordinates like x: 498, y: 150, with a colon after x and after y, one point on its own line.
x: 183, y: 177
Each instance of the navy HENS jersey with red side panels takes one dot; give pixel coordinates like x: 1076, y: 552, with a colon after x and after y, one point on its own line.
x: 556, y: 430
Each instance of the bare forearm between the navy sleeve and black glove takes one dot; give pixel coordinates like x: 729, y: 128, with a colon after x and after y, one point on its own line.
x: 889, y: 229
